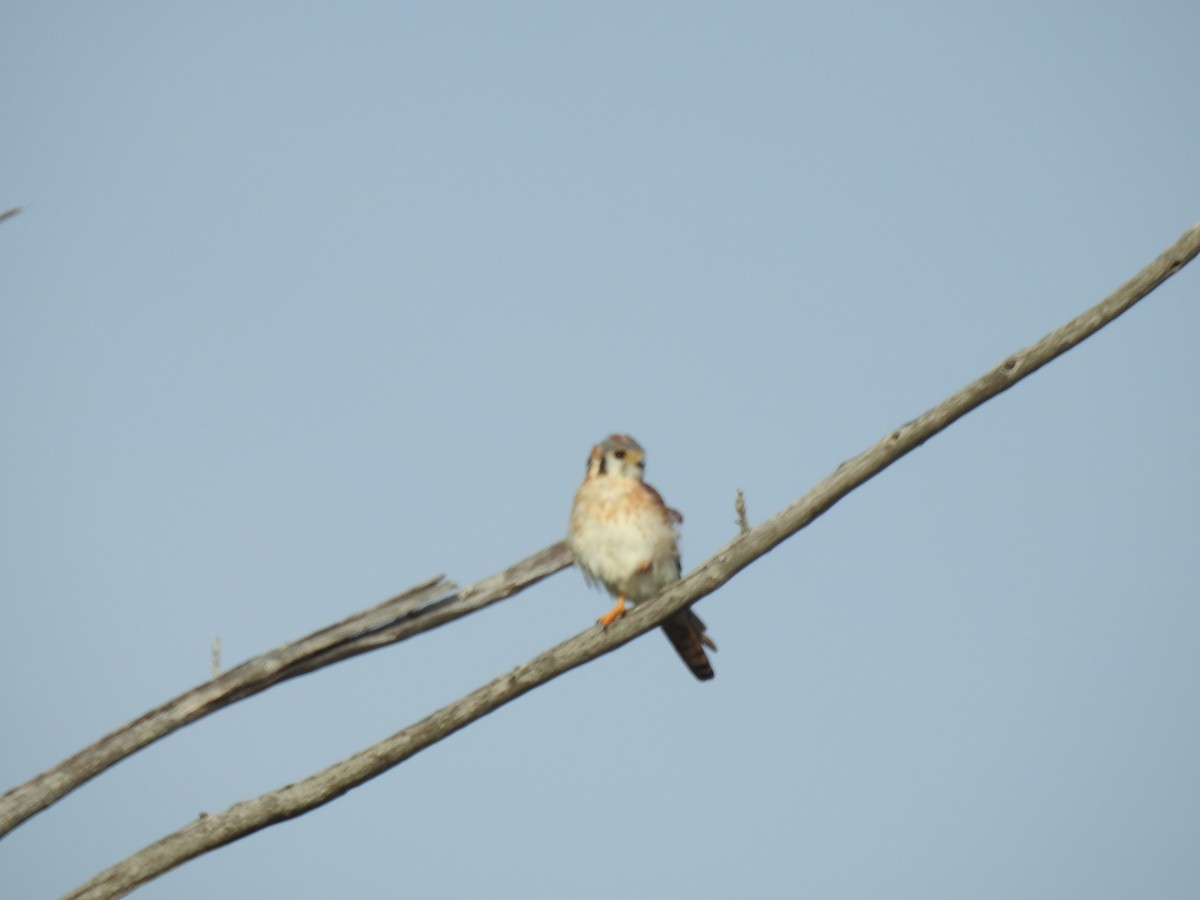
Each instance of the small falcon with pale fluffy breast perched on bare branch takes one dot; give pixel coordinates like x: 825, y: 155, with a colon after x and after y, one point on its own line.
x: 623, y: 537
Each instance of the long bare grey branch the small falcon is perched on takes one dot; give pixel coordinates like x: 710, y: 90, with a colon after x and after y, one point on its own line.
x: 249, y: 817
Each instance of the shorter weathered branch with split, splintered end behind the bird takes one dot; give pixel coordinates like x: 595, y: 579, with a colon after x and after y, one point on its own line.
x: 419, y: 609
